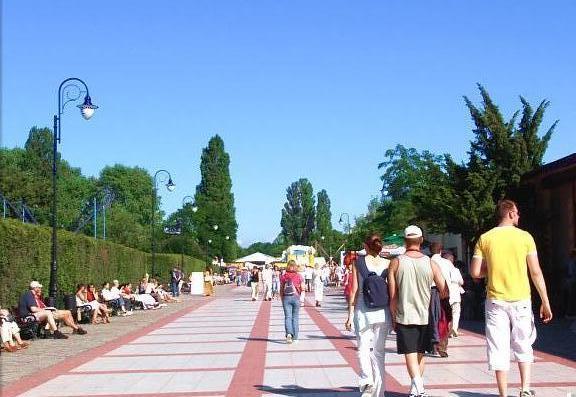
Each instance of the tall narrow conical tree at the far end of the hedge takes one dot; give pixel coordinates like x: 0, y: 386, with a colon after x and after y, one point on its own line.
x: 215, y: 202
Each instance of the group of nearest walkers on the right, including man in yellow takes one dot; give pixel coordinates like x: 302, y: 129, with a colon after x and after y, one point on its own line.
x: 419, y: 297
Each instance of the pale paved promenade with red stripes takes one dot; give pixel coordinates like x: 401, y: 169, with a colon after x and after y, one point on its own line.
x: 231, y: 346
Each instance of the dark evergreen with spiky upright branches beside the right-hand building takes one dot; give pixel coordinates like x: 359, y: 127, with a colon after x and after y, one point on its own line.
x: 500, y: 154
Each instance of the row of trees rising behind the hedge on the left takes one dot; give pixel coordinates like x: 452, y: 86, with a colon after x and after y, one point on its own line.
x: 25, y: 177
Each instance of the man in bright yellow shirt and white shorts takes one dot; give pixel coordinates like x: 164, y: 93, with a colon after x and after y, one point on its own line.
x: 505, y: 255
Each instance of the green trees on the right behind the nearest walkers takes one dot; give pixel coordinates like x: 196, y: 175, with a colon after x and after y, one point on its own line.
x: 443, y: 195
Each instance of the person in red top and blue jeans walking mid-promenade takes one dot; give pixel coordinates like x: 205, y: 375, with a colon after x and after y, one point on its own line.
x: 291, y: 286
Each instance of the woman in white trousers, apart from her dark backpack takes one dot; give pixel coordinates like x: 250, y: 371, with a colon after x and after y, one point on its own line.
x: 371, y: 325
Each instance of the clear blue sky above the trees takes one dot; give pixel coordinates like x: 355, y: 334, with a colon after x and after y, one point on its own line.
x: 316, y: 89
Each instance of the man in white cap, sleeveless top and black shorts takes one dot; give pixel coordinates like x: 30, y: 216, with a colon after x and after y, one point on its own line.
x: 409, y: 278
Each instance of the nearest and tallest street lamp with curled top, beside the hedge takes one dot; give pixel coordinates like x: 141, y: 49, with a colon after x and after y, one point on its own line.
x: 70, y: 90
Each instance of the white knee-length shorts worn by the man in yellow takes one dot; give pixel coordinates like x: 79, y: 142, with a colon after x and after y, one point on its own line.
x: 509, y: 326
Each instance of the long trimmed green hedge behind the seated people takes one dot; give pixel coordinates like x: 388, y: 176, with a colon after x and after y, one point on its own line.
x: 25, y: 255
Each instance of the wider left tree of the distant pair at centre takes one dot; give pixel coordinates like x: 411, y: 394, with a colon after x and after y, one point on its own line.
x: 298, y: 214
